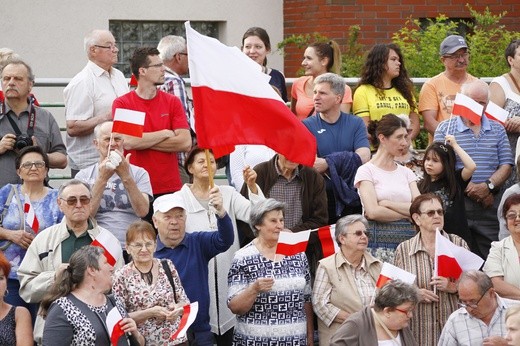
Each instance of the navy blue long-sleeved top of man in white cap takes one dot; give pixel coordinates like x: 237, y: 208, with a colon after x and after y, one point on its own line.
x: 191, y: 259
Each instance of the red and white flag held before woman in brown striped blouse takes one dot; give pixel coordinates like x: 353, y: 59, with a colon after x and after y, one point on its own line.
x: 451, y: 260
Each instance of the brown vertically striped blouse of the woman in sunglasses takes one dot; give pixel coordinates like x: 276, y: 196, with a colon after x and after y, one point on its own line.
x: 428, y: 318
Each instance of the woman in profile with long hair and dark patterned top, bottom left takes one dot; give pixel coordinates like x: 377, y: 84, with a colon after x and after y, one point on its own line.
x: 77, y: 305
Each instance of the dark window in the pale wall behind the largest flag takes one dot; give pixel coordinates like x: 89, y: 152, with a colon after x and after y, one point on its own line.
x: 131, y: 34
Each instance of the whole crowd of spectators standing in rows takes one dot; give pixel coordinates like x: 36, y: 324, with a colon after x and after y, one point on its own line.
x: 184, y: 240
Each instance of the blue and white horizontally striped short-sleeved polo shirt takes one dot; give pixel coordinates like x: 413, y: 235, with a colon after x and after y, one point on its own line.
x: 490, y: 149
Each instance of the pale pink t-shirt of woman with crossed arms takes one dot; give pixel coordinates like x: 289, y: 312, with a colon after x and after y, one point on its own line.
x: 389, y: 185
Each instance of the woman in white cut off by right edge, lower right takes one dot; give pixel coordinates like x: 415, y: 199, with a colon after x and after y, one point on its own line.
x: 502, y: 262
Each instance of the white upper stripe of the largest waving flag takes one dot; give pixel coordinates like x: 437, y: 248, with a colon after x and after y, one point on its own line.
x: 207, y: 50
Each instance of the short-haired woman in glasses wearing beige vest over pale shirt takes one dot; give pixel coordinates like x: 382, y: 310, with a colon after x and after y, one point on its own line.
x: 346, y: 281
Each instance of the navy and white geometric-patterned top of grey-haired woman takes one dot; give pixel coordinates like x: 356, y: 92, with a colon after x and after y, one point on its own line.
x: 277, y: 317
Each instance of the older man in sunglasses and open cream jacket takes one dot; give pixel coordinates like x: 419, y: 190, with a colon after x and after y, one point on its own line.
x: 51, y: 249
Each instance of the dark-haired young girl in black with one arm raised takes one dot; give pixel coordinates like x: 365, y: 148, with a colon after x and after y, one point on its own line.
x: 441, y: 178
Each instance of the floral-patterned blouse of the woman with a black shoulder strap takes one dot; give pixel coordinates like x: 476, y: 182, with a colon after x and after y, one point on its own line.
x: 136, y: 295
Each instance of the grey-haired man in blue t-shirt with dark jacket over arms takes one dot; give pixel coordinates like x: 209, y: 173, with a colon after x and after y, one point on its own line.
x: 342, y: 145
